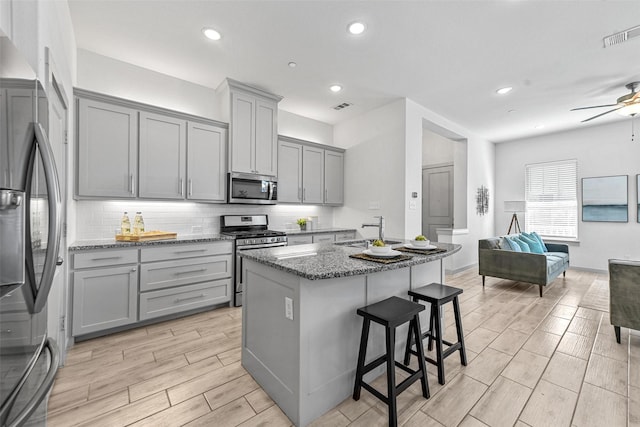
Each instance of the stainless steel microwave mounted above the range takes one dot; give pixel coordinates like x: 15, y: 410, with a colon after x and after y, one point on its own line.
x: 252, y: 189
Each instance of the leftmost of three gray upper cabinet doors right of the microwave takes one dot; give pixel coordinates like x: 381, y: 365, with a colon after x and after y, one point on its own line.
x: 289, y: 172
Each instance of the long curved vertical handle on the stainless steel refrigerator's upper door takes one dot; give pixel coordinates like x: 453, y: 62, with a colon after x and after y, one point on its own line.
x: 55, y: 218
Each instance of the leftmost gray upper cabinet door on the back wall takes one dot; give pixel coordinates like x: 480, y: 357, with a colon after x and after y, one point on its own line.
x: 107, y: 150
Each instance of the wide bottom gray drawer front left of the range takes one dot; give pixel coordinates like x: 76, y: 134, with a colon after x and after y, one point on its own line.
x: 176, y: 300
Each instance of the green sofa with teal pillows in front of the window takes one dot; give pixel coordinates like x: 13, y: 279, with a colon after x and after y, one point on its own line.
x: 539, y: 269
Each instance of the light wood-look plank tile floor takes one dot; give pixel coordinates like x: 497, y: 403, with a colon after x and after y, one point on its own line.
x: 532, y: 362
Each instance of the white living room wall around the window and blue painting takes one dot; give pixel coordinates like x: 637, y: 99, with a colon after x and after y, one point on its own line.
x: 600, y: 151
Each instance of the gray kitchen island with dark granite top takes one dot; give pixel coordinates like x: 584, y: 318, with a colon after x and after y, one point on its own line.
x: 300, y: 331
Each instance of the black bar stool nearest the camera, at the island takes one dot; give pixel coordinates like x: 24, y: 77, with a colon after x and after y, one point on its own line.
x: 390, y: 313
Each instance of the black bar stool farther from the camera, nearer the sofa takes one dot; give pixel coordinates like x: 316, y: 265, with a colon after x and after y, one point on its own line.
x: 437, y: 295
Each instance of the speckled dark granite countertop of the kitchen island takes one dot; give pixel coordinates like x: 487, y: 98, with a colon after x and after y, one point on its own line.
x: 326, y: 260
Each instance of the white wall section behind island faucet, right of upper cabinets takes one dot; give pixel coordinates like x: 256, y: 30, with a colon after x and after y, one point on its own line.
x: 374, y: 173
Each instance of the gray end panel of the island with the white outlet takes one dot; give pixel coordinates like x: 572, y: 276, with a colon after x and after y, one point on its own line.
x: 270, y: 341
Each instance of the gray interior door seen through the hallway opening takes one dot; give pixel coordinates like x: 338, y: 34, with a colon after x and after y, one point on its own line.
x: 437, y: 200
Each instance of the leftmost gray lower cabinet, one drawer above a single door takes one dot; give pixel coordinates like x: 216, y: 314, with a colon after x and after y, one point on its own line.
x: 107, y: 296
